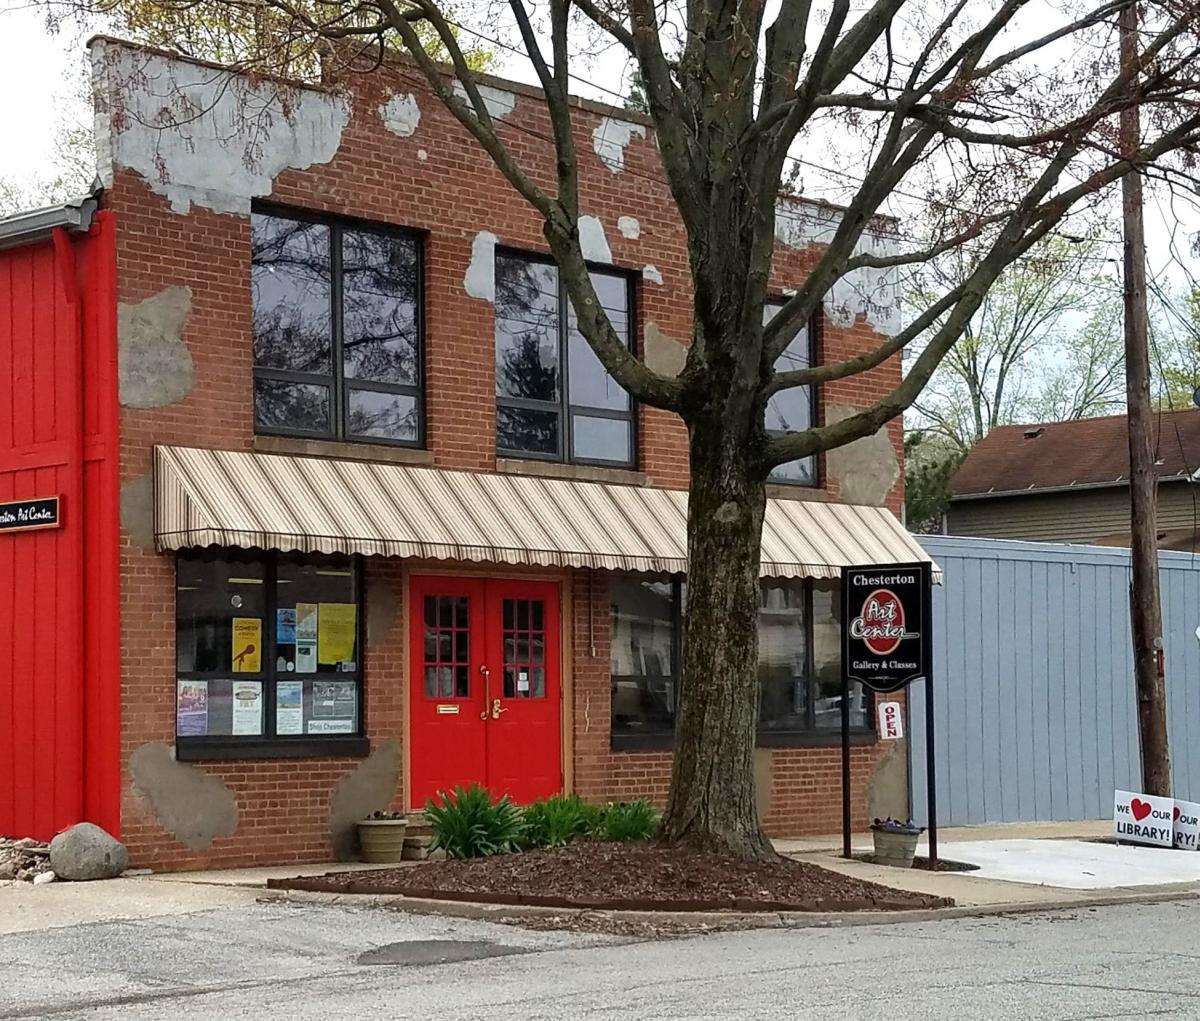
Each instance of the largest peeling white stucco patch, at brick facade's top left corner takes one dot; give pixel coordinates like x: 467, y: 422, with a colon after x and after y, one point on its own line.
x: 203, y: 136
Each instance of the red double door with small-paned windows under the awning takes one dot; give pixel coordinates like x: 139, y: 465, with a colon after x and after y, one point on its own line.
x: 485, y: 688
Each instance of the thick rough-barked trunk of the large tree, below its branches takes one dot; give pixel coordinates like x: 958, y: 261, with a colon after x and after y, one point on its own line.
x: 713, y: 804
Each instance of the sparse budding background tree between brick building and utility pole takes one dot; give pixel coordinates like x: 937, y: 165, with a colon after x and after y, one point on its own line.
x: 1018, y: 358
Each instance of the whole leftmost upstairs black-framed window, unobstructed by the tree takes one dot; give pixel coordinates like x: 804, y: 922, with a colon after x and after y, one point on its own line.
x: 338, y: 329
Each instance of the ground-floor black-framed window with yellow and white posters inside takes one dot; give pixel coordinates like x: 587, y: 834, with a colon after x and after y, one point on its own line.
x: 268, y: 658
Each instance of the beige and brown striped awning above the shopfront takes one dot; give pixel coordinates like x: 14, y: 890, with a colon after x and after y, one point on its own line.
x: 319, y: 506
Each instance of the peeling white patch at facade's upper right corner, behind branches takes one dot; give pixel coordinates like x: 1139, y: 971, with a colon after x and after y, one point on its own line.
x: 872, y: 293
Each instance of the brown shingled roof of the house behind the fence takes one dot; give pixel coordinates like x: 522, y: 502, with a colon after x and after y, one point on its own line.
x: 1088, y: 453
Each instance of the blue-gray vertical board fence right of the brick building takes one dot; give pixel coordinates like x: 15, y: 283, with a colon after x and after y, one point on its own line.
x: 1035, y: 713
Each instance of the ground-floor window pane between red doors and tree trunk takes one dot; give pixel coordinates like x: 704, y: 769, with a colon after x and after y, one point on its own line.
x: 644, y: 681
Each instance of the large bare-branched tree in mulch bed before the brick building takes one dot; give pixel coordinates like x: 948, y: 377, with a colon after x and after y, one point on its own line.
x: 970, y: 105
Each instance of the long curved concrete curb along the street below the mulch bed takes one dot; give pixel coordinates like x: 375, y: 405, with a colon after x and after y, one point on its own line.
x: 703, y: 921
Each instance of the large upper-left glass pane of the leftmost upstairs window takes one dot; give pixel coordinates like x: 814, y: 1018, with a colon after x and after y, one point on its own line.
x: 291, y: 295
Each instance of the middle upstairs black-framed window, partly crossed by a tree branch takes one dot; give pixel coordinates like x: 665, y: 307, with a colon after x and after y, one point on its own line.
x: 554, y: 398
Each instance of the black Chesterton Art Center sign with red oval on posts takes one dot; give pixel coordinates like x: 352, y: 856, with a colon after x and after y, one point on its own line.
x: 886, y: 632
